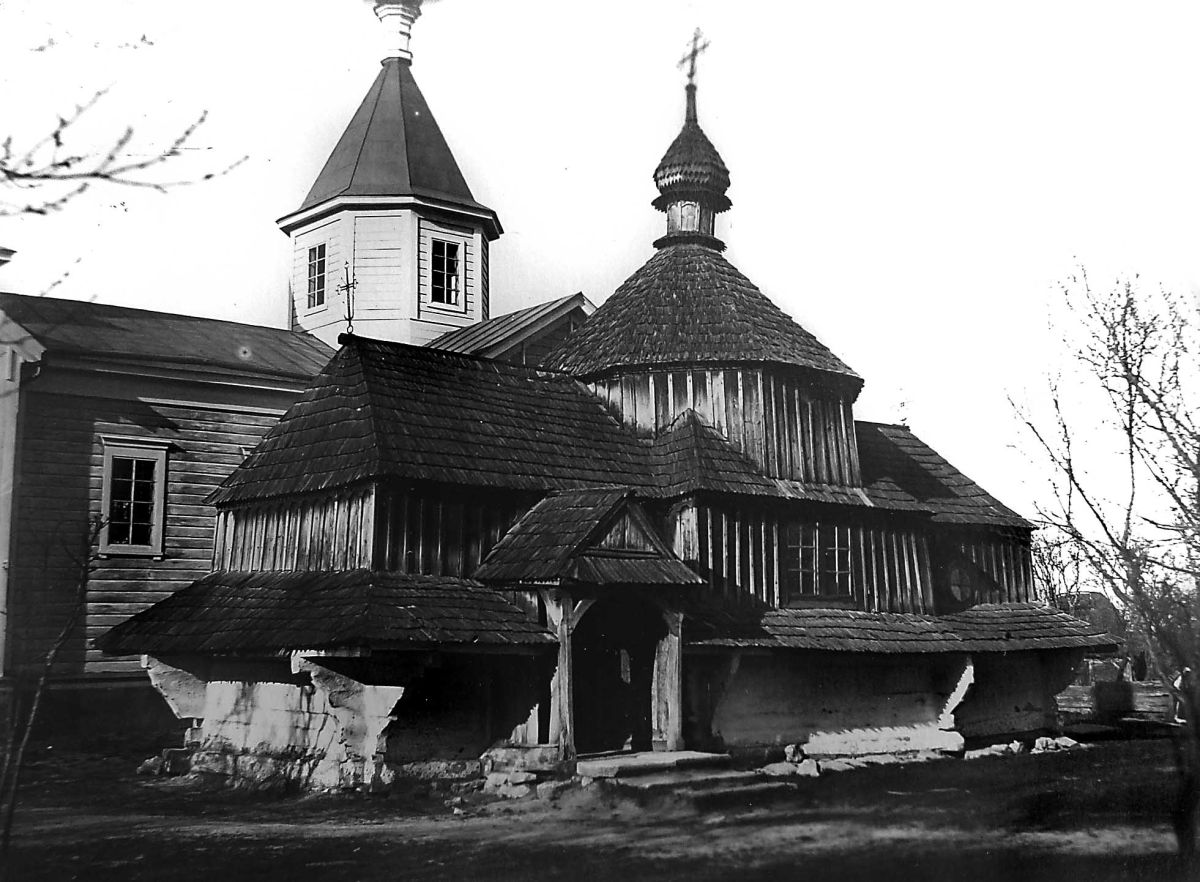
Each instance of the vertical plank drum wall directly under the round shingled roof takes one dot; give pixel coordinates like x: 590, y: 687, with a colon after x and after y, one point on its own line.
x: 775, y: 418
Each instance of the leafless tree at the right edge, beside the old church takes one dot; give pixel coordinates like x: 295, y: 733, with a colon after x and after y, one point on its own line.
x: 1124, y: 437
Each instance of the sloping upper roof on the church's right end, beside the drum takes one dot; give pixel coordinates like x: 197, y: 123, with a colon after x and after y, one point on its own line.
x: 901, y: 471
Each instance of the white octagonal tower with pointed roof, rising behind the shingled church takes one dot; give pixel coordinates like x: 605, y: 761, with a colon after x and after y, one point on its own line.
x: 389, y: 238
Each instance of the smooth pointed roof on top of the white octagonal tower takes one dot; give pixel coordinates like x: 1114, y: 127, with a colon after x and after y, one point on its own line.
x: 393, y: 148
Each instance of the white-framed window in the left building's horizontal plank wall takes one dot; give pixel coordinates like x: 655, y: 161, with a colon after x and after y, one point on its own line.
x: 134, y: 496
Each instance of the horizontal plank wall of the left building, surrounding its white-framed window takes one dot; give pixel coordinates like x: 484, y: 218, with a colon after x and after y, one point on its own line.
x: 61, y: 491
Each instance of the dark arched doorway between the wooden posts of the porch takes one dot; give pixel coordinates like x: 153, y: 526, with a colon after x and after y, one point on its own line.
x: 614, y: 650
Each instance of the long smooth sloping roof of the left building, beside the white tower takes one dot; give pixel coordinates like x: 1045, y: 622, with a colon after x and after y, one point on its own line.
x: 81, y: 328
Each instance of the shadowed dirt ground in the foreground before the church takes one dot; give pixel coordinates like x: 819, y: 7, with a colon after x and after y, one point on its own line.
x: 1095, y: 814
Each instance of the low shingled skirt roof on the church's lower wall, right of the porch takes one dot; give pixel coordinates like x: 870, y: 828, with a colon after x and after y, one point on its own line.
x: 986, y: 628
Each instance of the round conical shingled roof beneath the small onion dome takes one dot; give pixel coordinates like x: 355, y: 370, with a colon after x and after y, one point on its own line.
x: 688, y: 305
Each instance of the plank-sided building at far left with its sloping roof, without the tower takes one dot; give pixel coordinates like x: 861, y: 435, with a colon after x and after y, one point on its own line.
x: 116, y: 427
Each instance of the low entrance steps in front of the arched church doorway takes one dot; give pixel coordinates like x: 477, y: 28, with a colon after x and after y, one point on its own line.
x: 703, y: 781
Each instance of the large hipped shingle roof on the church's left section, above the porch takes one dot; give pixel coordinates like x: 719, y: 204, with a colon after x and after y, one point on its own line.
x: 391, y: 410
